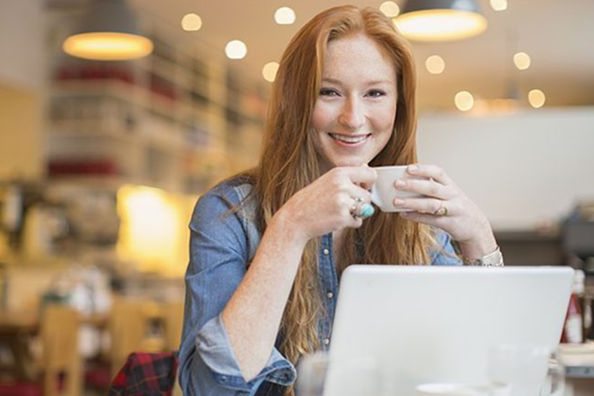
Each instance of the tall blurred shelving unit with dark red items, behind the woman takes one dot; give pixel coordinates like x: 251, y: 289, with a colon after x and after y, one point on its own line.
x: 171, y: 120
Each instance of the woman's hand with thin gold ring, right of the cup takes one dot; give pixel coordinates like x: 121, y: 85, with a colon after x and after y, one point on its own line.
x: 443, y: 204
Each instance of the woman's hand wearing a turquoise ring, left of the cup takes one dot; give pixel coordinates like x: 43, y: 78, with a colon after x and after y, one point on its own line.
x: 325, y: 205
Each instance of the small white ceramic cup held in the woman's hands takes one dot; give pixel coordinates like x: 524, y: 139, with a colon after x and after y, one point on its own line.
x: 384, y: 192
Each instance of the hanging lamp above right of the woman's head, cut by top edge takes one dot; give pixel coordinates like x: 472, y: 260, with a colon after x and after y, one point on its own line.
x: 440, y: 20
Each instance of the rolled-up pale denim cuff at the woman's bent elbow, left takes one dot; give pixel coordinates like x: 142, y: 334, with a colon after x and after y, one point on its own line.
x: 215, y: 350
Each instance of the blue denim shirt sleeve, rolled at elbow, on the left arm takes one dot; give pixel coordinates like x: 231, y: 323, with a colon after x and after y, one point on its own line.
x: 219, y: 255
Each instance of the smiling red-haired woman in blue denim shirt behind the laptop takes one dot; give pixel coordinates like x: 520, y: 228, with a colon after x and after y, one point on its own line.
x: 268, y: 246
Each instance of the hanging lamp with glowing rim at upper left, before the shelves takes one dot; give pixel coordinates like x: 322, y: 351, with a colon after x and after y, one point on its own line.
x: 108, y: 31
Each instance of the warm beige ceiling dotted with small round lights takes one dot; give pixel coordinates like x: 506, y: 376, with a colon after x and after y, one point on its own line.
x: 556, y: 34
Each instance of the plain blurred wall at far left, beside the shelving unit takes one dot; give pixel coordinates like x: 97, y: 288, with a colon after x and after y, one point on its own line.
x: 22, y: 86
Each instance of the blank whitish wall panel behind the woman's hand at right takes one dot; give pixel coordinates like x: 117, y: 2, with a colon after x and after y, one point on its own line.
x: 524, y: 169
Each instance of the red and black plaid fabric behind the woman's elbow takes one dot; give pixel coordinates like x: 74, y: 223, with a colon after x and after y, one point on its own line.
x: 146, y: 374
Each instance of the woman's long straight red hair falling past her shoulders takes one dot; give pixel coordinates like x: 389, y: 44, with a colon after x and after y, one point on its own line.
x: 289, y: 162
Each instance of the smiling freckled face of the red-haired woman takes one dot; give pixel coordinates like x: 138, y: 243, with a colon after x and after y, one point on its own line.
x: 353, y: 117
